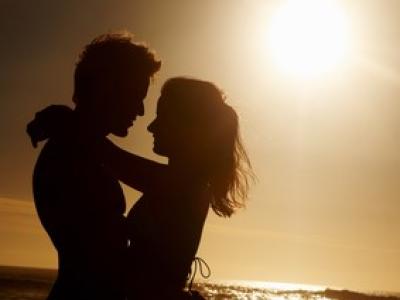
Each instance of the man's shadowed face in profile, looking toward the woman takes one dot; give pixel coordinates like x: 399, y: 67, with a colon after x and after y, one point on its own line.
x: 126, y: 103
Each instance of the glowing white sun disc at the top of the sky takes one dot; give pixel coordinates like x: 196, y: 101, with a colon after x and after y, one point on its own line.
x: 308, y: 37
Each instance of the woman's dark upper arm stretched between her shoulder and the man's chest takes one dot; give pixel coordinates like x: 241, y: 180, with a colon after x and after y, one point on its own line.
x: 137, y: 172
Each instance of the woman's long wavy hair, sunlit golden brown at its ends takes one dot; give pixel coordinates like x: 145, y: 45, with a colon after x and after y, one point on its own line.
x: 215, y: 126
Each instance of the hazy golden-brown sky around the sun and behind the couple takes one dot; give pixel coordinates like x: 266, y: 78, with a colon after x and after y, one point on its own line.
x: 325, y: 149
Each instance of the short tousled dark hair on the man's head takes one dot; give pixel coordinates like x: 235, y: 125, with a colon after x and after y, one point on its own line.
x: 109, y: 57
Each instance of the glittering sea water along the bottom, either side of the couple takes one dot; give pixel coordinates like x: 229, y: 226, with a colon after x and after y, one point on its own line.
x: 33, y: 284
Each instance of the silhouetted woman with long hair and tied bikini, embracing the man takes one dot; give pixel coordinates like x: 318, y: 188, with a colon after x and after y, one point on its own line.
x: 207, y: 166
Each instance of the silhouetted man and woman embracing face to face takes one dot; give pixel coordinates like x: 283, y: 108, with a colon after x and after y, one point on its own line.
x: 147, y: 255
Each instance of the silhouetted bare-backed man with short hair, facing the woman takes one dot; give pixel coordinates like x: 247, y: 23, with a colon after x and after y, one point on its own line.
x: 79, y: 204
